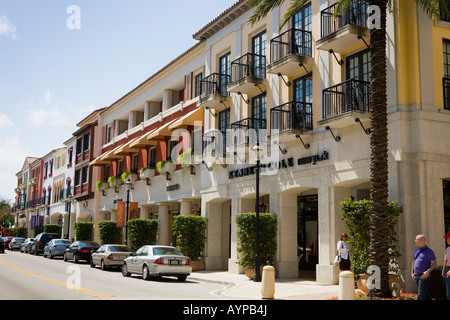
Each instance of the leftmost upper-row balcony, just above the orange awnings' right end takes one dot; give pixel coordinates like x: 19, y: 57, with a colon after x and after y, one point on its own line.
x: 214, y: 91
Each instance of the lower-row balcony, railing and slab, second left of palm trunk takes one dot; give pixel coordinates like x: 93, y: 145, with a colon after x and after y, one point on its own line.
x: 291, y: 119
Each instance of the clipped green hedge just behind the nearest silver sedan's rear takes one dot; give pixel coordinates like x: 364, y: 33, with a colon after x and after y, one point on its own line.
x: 189, y: 233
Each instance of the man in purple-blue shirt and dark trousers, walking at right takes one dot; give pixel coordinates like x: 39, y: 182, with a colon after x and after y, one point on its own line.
x: 424, y: 261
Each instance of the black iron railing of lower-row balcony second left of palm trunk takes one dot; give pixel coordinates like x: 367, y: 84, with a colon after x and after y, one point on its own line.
x: 293, y: 115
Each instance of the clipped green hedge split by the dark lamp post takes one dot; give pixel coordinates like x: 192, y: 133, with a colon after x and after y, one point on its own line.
x: 246, y: 234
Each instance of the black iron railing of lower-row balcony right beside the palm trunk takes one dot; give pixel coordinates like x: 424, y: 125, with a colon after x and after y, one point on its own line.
x: 350, y: 95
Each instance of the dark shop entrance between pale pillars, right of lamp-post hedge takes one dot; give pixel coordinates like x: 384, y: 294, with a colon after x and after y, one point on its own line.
x: 307, y: 232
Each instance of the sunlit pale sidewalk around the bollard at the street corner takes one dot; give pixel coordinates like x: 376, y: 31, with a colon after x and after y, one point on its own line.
x: 238, y: 286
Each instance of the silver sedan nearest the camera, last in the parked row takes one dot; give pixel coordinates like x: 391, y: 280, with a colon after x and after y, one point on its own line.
x: 156, y: 261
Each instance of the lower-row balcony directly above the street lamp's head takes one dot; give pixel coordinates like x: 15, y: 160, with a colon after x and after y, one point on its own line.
x: 244, y: 132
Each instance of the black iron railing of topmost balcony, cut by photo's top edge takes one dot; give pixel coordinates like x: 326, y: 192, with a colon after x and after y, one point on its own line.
x: 357, y: 15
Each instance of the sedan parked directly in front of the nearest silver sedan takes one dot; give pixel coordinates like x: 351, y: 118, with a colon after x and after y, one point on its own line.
x: 110, y: 255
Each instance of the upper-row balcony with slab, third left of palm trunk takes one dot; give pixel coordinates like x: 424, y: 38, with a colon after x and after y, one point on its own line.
x: 247, y: 72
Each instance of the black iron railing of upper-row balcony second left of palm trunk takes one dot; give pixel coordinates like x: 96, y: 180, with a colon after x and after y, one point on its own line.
x: 292, y: 41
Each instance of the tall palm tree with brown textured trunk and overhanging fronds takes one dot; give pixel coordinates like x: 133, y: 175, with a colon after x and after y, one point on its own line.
x: 378, y: 115
